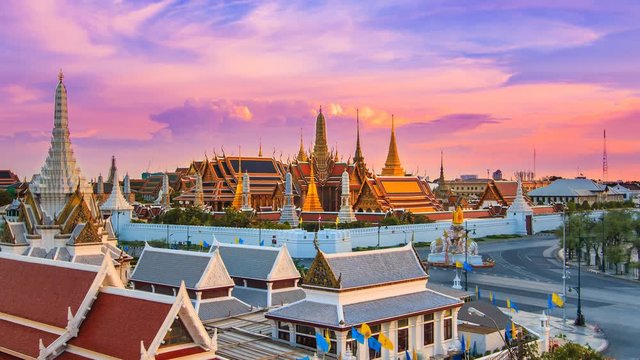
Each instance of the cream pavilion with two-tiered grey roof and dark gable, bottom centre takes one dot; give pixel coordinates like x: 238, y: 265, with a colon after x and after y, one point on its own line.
x: 385, y: 289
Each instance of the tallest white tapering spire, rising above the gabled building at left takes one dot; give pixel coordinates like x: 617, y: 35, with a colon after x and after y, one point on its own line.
x: 60, y: 175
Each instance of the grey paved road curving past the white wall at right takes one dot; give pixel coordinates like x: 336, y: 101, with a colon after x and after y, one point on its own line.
x: 526, y: 271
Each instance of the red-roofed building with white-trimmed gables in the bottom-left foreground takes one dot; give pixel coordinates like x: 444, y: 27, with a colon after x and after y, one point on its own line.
x: 77, y: 311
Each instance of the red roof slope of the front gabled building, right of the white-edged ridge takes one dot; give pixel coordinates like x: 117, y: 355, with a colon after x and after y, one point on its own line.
x: 116, y: 324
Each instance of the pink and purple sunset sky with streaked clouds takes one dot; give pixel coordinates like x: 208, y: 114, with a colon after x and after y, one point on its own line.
x: 161, y: 83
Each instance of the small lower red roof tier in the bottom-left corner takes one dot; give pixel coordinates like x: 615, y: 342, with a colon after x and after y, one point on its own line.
x: 23, y: 339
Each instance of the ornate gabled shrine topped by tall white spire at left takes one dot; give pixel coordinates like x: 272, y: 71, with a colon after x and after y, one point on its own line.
x: 58, y: 215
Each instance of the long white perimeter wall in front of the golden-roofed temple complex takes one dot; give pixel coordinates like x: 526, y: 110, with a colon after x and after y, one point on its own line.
x: 300, y: 242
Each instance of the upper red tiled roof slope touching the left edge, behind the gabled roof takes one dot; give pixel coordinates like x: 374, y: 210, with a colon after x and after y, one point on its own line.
x: 42, y: 292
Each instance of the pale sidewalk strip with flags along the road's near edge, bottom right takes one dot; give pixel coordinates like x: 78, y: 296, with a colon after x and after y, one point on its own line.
x: 587, y: 335
